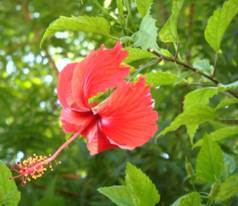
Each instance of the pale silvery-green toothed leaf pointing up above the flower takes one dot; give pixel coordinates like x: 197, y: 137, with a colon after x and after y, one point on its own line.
x: 146, y: 37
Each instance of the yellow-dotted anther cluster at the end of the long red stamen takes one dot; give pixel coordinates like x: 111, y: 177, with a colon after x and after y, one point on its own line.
x: 32, y: 168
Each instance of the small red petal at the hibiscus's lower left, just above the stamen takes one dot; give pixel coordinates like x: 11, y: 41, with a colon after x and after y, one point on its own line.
x: 75, y: 121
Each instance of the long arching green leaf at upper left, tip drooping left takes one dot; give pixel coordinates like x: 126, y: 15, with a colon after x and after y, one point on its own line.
x: 98, y: 25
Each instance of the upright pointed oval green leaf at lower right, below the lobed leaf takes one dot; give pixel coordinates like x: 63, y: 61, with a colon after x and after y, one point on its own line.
x: 210, y: 162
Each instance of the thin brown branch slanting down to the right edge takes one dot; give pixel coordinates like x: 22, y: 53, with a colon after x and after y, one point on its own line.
x: 193, y: 69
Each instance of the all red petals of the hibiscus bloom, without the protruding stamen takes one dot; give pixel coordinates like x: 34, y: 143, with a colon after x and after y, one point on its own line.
x: 125, y: 119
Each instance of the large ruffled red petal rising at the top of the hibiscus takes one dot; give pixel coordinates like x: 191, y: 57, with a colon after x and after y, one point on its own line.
x: 98, y: 72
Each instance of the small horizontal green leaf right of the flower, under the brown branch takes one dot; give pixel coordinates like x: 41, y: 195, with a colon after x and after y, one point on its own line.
x: 161, y: 78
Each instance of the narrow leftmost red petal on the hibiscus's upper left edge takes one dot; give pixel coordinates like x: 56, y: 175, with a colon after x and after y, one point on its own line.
x: 64, y: 89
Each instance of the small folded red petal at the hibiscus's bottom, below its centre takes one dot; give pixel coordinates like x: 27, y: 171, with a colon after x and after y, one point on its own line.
x: 97, y: 142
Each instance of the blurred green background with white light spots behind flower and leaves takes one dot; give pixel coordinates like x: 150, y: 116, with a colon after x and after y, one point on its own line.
x: 29, y: 110
